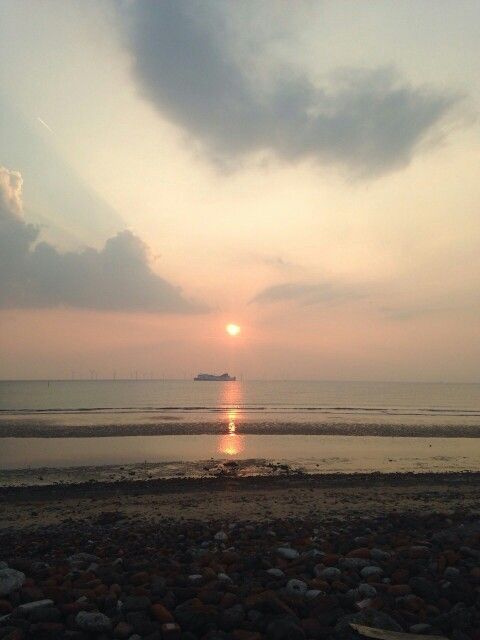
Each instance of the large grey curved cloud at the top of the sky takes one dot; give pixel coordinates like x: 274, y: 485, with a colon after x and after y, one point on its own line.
x: 369, y: 121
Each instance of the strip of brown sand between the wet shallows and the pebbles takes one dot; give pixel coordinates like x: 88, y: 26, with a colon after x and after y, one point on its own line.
x: 256, y: 498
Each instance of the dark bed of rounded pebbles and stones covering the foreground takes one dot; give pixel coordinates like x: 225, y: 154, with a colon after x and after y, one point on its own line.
x: 162, y: 582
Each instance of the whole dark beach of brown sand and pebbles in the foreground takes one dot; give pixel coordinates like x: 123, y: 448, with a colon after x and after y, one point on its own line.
x: 243, y: 558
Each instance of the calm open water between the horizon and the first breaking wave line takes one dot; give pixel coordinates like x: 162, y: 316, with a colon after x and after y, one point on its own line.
x: 254, y: 398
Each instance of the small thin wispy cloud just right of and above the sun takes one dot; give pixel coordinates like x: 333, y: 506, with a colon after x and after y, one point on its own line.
x: 309, y: 293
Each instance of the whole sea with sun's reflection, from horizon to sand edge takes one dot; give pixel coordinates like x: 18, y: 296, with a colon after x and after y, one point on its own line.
x: 71, y: 430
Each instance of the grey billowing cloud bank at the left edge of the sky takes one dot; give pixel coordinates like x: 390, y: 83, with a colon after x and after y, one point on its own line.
x: 36, y: 274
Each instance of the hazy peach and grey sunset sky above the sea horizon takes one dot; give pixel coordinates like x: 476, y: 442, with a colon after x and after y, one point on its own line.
x: 307, y: 170
